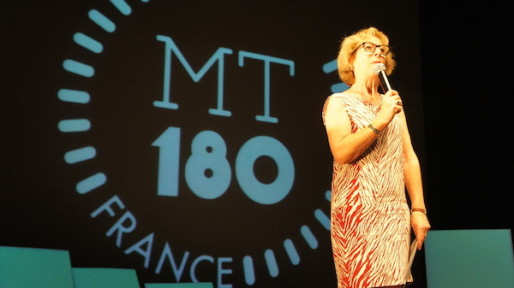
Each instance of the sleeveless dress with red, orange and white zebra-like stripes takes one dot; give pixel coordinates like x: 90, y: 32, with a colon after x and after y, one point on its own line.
x: 370, y: 218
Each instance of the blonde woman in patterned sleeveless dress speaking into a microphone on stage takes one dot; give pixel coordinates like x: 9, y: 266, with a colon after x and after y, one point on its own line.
x: 374, y: 165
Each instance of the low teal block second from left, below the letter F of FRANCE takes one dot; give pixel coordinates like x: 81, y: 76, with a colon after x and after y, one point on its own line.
x: 104, y: 278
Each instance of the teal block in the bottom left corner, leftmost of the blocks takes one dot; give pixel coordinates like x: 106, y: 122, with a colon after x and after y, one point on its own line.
x: 22, y: 267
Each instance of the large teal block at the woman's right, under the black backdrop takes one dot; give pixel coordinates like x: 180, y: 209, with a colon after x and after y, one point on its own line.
x: 469, y: 259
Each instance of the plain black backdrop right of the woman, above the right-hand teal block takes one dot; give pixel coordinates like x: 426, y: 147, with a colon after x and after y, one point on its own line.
x: 468, y: 100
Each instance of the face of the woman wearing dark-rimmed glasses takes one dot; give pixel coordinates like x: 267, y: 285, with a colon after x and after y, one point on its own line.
x: 367, y: 56
